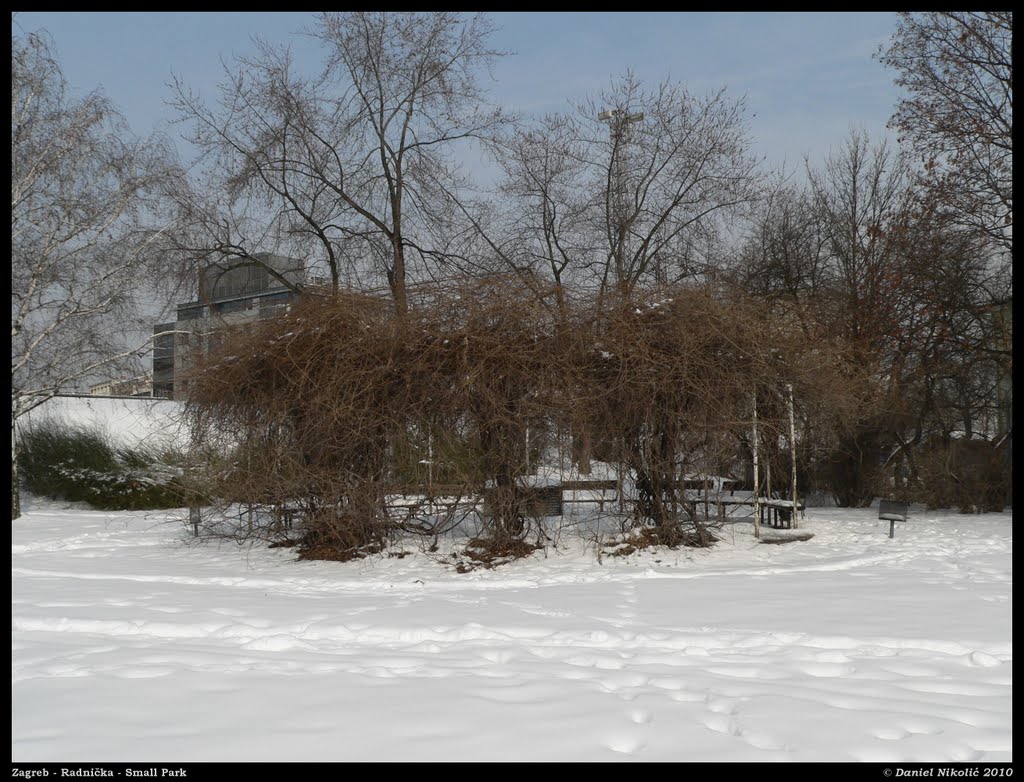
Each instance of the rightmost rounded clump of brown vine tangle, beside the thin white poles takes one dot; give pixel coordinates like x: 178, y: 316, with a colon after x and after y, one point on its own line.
x: 669, y: 388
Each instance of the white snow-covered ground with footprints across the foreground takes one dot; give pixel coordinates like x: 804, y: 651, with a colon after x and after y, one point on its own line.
x: 131, y: 644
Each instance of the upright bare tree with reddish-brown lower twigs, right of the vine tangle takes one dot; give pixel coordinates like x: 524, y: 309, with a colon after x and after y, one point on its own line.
x: 838, y: 252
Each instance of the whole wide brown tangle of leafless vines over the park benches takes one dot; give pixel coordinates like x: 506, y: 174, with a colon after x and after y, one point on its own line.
x: 364, y: 424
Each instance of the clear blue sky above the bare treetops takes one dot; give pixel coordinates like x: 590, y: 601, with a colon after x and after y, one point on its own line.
x: 808, y: 78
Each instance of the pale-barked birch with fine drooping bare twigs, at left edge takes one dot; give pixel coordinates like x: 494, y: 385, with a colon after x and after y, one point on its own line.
x: 79, y: 234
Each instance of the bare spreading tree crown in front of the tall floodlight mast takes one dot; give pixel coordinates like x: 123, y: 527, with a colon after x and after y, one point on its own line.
x: 668, y: 164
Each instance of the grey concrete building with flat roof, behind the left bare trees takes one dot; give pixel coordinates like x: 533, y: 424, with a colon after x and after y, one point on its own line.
x: 229, y: 294
